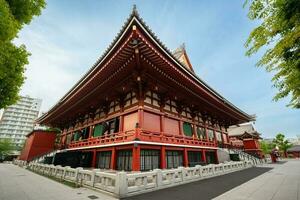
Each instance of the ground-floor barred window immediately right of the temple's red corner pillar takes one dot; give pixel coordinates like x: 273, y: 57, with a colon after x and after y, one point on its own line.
x: 150, y: 159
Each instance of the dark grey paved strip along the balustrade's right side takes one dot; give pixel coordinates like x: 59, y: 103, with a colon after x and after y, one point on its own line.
x: 203, y: 189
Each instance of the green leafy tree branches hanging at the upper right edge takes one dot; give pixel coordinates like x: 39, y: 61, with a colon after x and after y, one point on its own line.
x: 279, y: 33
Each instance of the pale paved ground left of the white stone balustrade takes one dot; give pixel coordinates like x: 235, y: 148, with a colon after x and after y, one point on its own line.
x: 19, y: 184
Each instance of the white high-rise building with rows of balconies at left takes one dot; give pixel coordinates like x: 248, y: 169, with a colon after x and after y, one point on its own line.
x: 18, y: 120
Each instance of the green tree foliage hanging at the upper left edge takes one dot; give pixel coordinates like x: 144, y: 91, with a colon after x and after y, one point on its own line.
x: 14, y: 14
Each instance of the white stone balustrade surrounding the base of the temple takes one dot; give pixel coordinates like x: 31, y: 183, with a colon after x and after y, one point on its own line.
x: 122, y: 184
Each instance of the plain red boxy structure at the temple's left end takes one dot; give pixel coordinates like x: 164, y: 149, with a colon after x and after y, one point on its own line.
x: 38, y: 142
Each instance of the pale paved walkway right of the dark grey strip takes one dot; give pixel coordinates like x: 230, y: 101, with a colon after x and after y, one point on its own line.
x: 281, y: 183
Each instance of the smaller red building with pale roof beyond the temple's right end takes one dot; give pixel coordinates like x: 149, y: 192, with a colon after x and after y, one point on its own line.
x: 245, y: 137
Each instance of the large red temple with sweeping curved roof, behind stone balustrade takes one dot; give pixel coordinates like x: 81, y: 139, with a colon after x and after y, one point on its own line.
x: 141, y: 107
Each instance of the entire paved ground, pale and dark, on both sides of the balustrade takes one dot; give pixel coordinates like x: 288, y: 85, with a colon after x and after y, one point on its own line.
x: 270, y: 182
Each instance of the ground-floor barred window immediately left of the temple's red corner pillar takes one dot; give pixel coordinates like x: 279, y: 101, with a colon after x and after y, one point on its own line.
x: 124, y: 160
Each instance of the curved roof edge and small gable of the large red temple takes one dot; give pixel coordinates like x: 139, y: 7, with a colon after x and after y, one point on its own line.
x: 135, y: 20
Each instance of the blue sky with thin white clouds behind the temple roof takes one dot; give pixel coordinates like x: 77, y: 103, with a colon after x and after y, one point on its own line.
x: 69, y: 36
